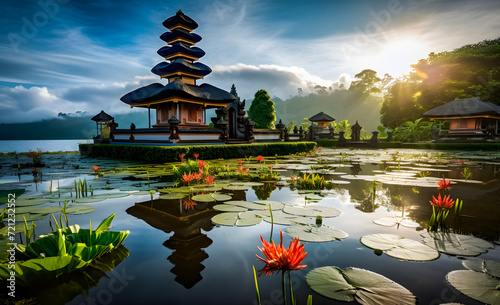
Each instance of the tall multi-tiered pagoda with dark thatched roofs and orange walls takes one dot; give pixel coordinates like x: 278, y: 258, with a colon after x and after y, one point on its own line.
x: 181, y: 97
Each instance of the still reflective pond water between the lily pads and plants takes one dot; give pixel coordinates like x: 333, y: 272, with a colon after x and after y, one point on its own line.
x: 176, y: 255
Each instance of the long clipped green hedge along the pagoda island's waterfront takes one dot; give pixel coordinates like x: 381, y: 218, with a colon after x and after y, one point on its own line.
x: 163, y: 154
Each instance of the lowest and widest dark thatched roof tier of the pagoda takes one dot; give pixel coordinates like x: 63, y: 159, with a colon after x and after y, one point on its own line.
x: 157, y: 92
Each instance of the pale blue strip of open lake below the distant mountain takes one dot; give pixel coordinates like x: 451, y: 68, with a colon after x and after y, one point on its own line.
x: 21, y: 146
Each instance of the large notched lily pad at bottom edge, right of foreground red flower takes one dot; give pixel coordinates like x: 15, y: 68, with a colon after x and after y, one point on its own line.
x: 366, y: 287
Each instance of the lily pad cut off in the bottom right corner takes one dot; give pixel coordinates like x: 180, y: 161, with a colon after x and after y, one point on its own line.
x: 476, y: 285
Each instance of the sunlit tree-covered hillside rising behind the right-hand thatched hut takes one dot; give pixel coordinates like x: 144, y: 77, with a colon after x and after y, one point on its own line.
x: 469, y: 71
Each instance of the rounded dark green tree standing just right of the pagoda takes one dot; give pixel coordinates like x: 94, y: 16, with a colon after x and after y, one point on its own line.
x: 262, y: 111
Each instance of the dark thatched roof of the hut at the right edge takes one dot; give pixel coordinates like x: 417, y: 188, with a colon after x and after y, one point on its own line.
x: 464, y: 108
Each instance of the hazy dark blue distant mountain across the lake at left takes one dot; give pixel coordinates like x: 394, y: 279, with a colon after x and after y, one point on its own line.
x: 67, y: 127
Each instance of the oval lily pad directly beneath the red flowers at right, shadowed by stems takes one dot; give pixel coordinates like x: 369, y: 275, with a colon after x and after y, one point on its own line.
x: 456, y: 244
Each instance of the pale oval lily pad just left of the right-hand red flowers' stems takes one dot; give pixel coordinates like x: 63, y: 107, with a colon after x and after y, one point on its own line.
x: 399, y: 247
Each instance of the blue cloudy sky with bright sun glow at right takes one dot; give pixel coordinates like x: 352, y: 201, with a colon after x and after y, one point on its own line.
x: 68, y: 56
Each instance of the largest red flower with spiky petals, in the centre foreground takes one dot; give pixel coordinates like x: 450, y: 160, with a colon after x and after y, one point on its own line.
x: 280, y: 259
